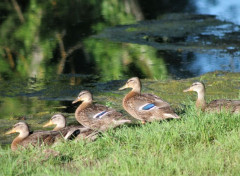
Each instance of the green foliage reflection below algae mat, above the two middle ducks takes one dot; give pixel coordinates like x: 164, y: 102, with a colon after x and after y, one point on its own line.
x: 115, y: 61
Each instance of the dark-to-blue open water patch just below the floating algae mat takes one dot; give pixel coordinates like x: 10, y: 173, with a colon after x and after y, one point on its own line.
x: 189, y: 64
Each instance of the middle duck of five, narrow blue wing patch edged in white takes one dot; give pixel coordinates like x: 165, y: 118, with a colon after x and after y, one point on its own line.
x: 95, y: 116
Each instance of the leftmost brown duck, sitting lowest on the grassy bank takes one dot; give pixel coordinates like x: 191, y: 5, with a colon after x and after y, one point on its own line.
x: 26, y: 138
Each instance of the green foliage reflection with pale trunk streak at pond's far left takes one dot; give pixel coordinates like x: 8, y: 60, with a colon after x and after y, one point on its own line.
x: 22, y: 47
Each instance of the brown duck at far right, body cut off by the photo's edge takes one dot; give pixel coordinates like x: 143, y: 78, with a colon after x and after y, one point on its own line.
x: 215, y: 105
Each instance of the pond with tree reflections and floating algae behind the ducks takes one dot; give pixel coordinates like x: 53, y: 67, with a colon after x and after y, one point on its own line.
x: 49, y: 51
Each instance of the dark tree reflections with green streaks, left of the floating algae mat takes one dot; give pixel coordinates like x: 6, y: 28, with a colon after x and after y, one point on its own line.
x: 44, y: 38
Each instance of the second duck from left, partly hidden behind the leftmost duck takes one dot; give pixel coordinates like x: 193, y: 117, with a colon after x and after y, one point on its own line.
x: 70, y: 132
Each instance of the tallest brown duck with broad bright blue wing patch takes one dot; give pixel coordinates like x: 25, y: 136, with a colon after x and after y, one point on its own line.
x: 145, y: 107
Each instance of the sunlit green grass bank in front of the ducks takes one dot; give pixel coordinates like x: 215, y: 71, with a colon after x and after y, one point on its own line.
x: 198, y: 144
